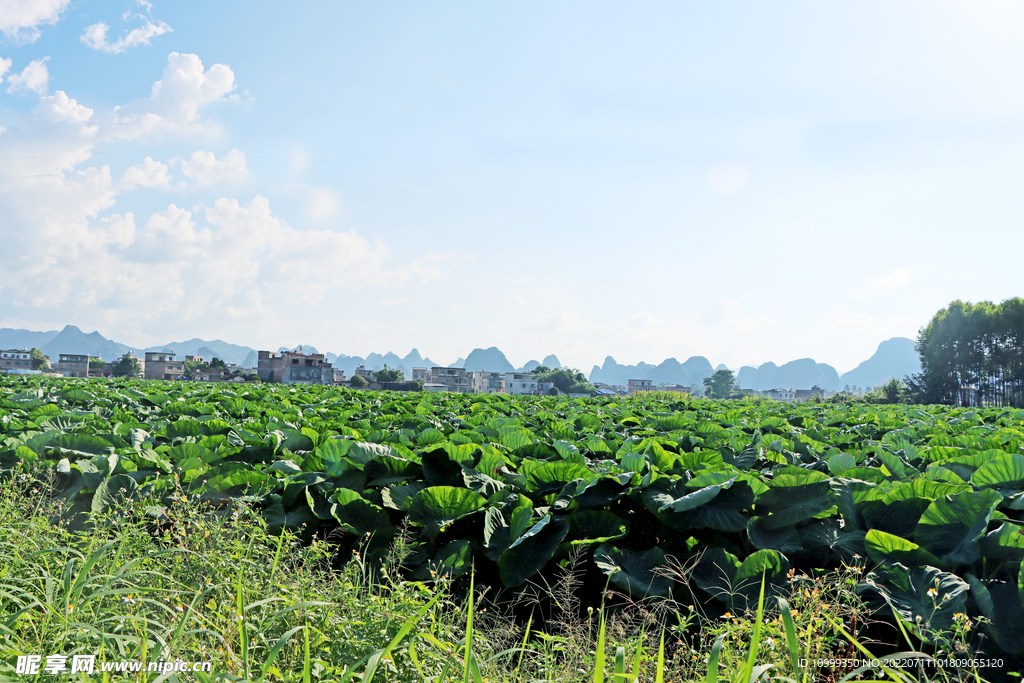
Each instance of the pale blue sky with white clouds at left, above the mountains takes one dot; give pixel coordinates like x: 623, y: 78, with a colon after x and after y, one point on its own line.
x: 748, y: 182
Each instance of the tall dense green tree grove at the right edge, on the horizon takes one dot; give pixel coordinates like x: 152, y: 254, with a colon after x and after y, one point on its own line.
x: 972, y: 355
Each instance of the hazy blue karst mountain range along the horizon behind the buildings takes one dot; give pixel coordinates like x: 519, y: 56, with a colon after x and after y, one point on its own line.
x: 894, y: 358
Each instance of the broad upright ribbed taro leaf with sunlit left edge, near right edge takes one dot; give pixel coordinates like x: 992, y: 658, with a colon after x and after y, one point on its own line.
x: 951, y: 527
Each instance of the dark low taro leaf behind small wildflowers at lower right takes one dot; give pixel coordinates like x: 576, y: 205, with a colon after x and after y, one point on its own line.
x: 924, y: 592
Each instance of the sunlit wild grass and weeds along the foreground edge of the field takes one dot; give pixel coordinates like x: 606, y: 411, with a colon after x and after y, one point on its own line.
x: 206, y: 585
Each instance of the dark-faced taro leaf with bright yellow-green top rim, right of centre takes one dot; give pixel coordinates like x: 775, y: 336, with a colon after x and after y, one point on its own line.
x: 794, y: 496
